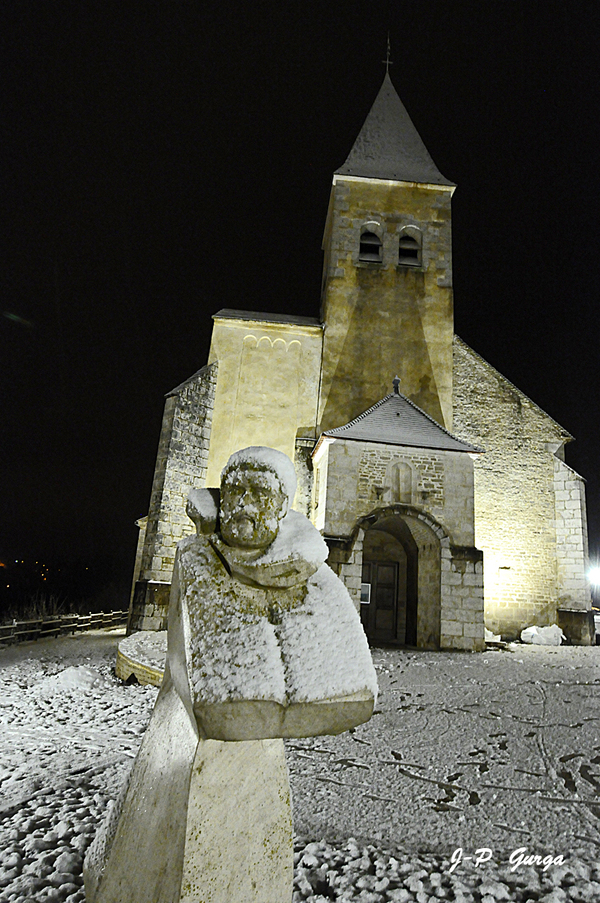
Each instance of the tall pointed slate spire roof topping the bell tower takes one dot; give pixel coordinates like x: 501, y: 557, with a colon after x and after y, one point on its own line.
x: 389, y: 146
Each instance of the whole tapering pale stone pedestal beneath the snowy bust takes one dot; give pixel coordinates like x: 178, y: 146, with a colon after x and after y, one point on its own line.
x: 201, y: 820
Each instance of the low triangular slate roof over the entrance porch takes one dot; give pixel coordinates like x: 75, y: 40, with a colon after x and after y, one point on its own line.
x: 397, y: 421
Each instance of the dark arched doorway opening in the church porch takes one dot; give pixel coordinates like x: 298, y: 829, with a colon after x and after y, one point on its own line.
x: 401, y: 578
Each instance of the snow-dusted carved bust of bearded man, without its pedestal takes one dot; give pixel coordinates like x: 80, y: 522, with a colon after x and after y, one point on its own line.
x: 276, y: 648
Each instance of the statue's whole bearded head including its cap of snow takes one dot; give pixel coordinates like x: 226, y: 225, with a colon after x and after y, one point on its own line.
x: 258, y: 485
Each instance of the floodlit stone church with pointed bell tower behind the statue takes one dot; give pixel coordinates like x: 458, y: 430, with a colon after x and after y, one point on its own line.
x: 440, y: 488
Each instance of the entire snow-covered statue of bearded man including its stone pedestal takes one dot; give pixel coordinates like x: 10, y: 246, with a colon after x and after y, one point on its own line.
x: 263, y: 643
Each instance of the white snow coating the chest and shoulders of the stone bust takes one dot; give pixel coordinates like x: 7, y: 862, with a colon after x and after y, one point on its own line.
x: 296, y: 644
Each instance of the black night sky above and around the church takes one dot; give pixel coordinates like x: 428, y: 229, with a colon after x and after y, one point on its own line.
x: 162, y: 160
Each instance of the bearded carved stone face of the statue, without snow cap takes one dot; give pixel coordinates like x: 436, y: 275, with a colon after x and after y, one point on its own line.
x: 252, y: 506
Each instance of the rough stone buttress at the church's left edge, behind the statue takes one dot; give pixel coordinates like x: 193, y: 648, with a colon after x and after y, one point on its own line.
x: 181, y: 464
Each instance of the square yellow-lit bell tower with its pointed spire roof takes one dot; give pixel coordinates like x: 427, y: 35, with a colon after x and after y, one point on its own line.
x: 386, y: 299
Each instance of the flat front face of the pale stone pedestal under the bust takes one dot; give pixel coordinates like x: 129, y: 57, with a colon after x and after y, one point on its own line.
x: 238, y: 843
